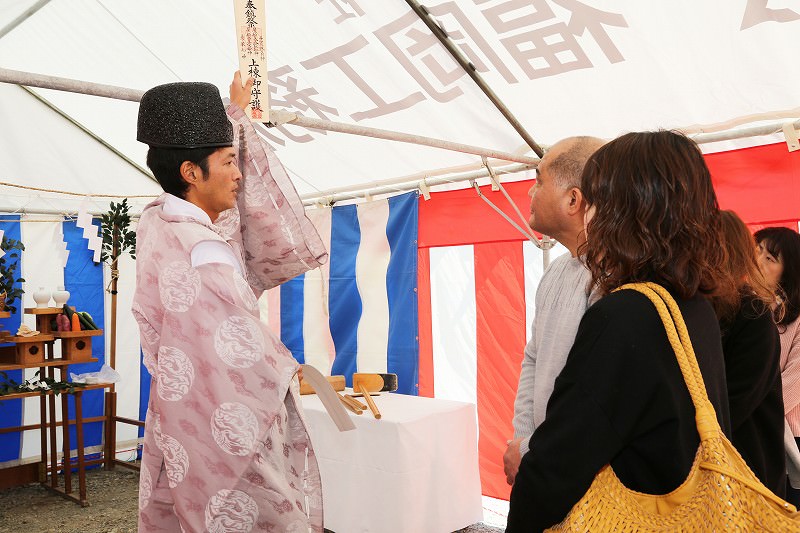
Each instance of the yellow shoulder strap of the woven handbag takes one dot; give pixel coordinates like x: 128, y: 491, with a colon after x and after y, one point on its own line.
x: 705, y: 416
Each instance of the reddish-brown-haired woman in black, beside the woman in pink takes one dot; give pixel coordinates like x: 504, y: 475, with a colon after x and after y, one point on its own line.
x: 752, y: 358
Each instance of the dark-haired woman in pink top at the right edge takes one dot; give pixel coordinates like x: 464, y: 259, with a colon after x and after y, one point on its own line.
x: 779, y: 256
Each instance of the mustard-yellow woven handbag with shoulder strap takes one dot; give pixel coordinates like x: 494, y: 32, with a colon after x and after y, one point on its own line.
x: 720, y: 493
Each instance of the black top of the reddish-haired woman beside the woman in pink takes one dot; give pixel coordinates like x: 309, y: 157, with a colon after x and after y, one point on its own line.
x: 752, y: 367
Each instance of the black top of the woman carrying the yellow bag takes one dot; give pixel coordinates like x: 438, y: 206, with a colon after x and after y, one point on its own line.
x: 620, y: 399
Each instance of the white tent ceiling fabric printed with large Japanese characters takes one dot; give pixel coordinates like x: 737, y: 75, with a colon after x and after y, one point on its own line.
x: 563, y: 67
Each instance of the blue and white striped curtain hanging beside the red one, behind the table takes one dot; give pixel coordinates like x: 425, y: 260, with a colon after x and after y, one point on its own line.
x: 358, y: 313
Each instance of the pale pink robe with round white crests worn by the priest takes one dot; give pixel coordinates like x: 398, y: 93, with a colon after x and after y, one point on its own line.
x: 225, y: 447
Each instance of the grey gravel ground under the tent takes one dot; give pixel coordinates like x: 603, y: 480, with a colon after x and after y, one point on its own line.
x: 113, y: 507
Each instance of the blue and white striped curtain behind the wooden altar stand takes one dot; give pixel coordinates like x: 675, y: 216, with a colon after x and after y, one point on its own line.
x: 42, y: 266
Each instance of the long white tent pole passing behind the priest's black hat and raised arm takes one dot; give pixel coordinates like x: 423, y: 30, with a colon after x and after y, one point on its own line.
x: 121, y: 93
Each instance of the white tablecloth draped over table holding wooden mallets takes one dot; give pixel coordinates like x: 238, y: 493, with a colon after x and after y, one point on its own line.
x: 413, y: 471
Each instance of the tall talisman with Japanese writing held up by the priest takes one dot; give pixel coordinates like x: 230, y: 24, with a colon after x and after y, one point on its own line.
x: 251, y: 28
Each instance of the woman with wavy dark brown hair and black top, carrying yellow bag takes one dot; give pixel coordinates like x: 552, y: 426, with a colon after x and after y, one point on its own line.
x: 621, y: 397
